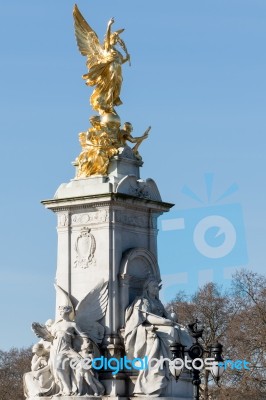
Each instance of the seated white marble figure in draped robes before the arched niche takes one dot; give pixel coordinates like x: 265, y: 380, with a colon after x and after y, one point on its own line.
x: 149, y: 331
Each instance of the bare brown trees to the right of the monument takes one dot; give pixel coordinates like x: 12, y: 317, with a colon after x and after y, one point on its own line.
x: 237, y: 319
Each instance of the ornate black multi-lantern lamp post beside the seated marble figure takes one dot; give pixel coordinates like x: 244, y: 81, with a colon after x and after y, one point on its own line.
x: 195, y: 353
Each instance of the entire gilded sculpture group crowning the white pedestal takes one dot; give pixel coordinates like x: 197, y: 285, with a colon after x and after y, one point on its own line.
x: 104, y: 62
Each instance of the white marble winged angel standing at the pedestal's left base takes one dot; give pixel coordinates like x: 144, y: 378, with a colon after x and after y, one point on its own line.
x: 69, y: 331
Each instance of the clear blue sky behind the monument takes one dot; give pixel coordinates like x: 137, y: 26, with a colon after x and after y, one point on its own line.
x: 197, y: 77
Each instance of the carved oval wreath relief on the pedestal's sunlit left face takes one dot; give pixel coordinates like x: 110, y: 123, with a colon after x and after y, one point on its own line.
x: 85, y: 247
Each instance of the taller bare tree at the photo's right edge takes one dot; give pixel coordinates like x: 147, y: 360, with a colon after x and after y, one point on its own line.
x: 246, y: 336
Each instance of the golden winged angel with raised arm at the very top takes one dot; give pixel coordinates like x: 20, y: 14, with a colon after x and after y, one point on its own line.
x: 104, y: 63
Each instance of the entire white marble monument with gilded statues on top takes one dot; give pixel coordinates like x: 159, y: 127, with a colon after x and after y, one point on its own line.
x: 107, y: 281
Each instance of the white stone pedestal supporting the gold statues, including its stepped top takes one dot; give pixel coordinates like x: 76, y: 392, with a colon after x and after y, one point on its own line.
x: 107, y: 231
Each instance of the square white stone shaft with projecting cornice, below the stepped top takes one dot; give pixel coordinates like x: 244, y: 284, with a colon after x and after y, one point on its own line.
x: 101, y: 235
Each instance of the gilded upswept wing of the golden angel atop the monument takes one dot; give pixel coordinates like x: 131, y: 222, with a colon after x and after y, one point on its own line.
x: 87, y: 40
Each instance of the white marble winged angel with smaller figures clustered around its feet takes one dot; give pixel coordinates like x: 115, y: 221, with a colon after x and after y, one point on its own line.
x: 70, y: 336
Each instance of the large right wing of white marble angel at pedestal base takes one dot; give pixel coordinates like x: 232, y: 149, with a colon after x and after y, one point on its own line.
x: 92, y: 309
